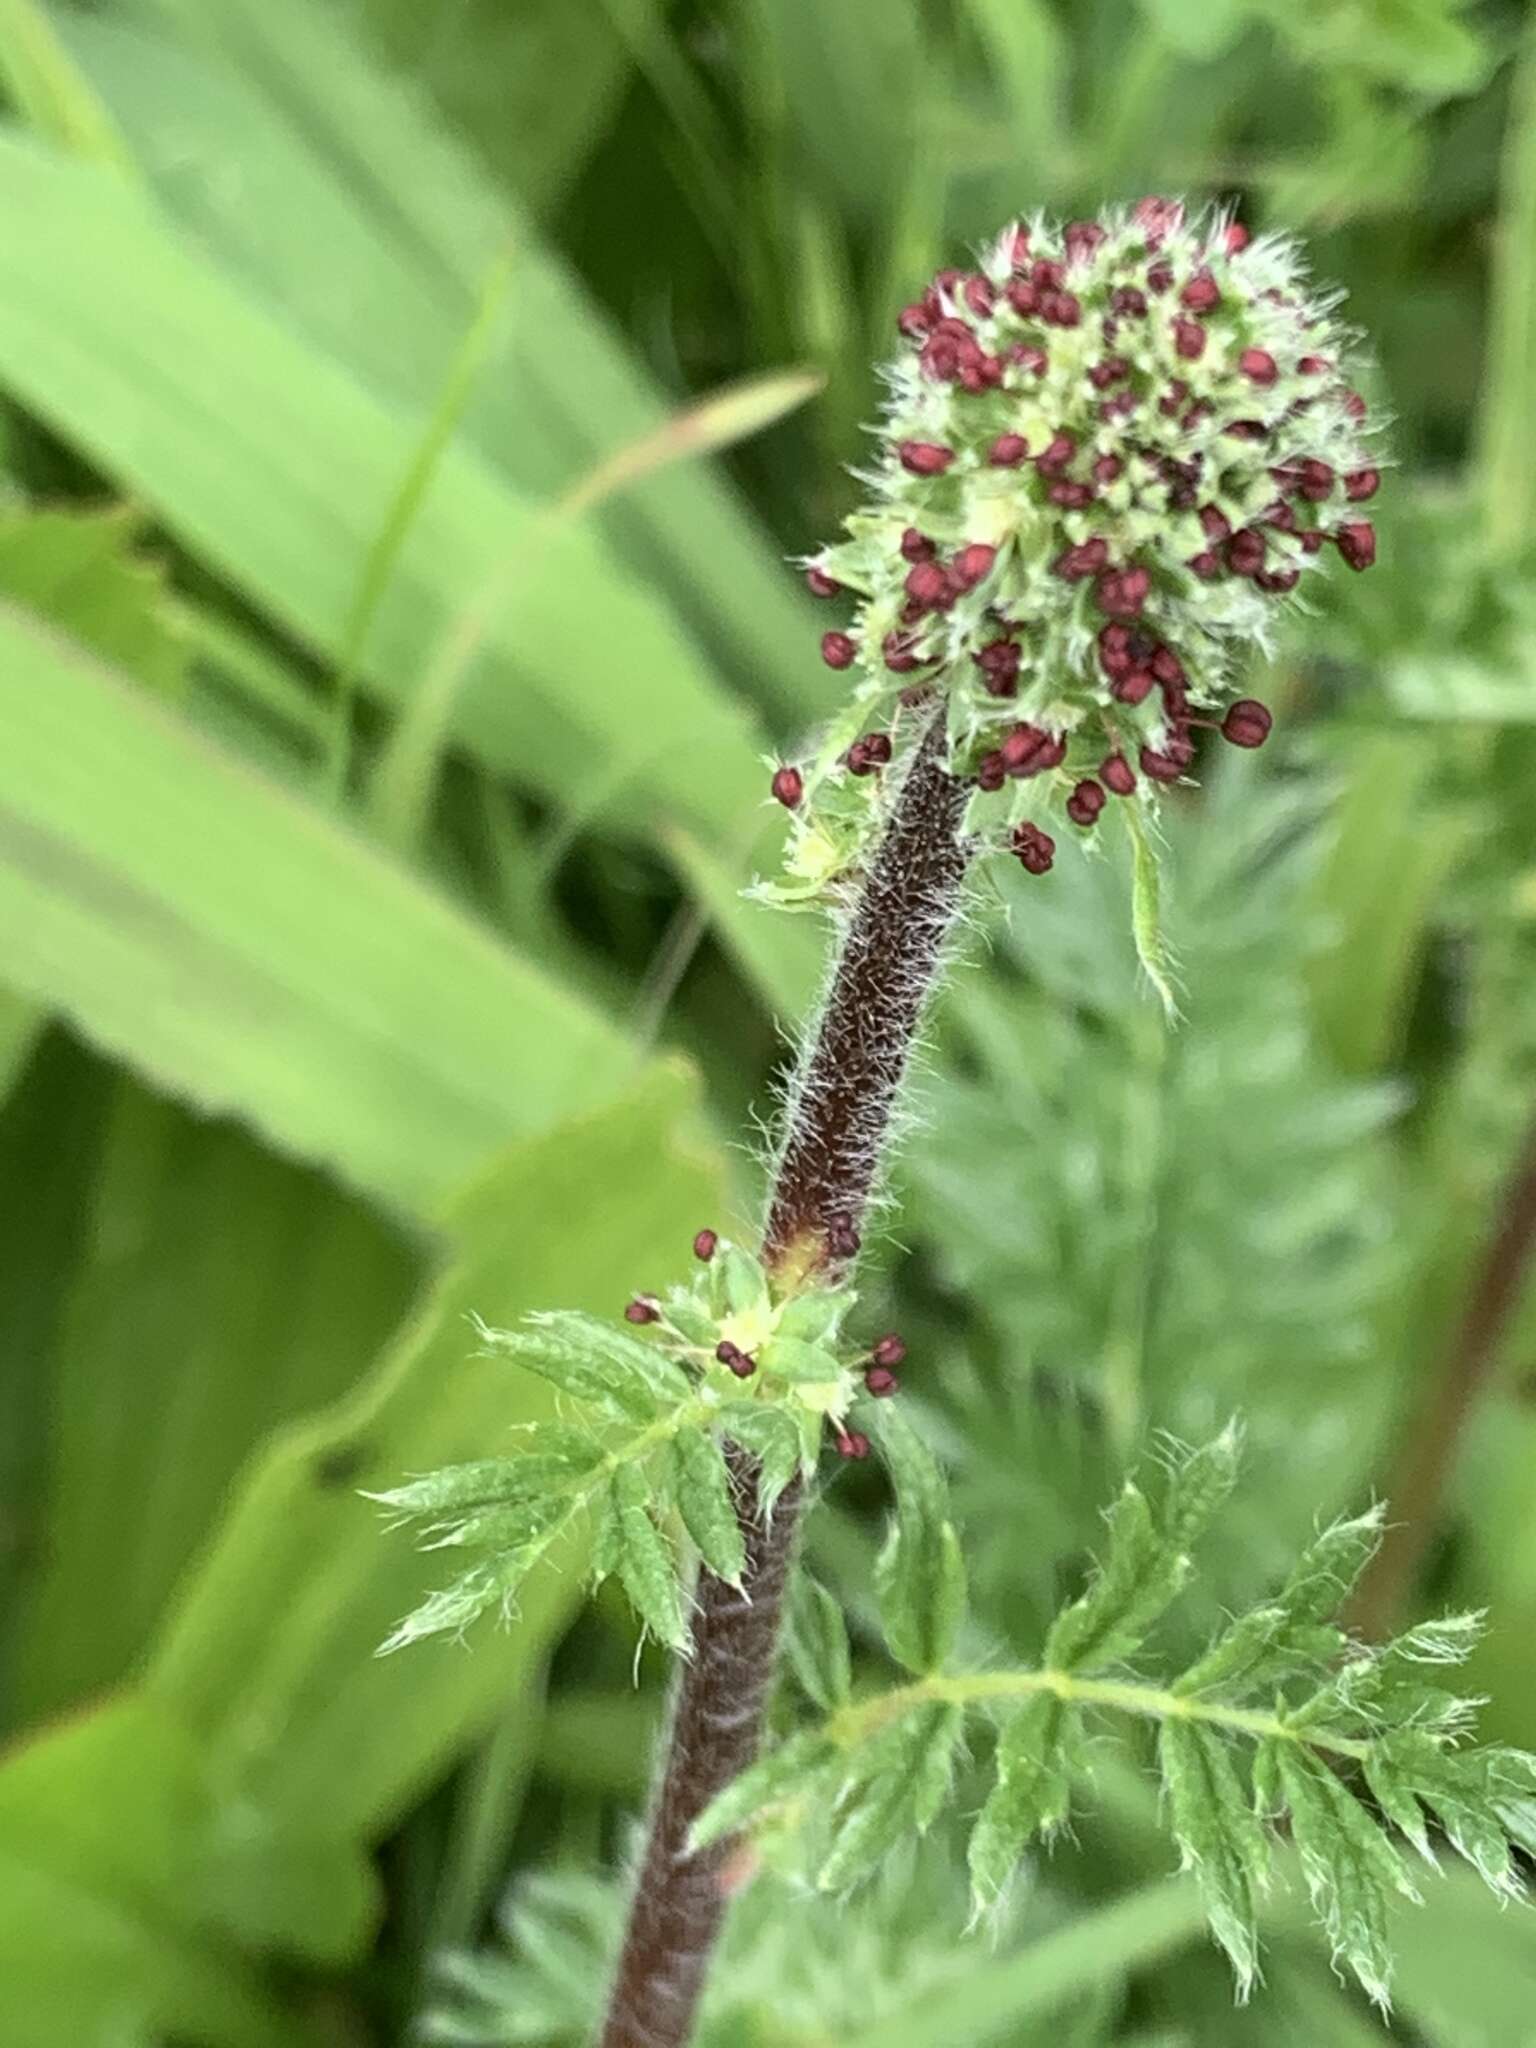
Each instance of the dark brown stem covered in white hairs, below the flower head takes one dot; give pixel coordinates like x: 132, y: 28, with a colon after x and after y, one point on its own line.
x: 837, y: 1136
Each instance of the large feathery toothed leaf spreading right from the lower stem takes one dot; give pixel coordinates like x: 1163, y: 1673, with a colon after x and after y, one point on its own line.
x: 1359, y: 1752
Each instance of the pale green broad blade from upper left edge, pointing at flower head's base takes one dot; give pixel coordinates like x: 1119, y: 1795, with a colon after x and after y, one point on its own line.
x: 275, y: 468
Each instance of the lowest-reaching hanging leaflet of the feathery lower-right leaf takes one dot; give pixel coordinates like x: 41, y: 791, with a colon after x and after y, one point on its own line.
x: 1349, y: 1865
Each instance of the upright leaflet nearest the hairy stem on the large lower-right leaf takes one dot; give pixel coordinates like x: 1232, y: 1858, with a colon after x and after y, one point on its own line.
x: 921, y: 1572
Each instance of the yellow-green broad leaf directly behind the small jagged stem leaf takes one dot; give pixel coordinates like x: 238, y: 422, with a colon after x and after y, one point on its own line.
x: 269, y: 1650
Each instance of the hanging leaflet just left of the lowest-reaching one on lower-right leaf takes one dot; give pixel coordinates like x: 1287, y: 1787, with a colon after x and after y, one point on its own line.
x: 1220, y: 1838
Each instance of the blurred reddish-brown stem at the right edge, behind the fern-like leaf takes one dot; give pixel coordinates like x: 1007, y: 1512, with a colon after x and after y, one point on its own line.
x: 1433, y: 1441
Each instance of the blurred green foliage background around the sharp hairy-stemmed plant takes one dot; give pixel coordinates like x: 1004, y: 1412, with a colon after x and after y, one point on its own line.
x: 404, y: 419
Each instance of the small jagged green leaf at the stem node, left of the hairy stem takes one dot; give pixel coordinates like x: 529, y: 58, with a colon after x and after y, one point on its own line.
x: 640, y: 1447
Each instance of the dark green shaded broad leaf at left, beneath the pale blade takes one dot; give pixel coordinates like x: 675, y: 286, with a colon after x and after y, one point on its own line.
x: 216, y: 1293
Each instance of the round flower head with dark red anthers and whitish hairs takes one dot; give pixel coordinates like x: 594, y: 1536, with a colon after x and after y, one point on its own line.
x: 1111, y: 456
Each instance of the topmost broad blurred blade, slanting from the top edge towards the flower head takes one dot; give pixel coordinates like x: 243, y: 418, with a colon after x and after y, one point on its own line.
x: 278, y: 138
